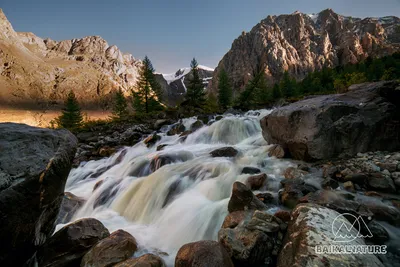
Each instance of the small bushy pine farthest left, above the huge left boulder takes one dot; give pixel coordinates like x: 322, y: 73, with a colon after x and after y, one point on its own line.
x: 71, y: 117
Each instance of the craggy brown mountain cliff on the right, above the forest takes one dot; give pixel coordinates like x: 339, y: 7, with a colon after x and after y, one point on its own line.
x: 300, y: 43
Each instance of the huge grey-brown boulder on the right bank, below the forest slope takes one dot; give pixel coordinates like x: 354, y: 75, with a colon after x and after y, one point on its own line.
x: 367, y: 118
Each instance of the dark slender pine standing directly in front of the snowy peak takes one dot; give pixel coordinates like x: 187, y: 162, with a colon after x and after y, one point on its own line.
x: 196, y: 96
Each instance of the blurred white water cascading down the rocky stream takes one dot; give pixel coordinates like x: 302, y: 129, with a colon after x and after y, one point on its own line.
x: 184, y: 200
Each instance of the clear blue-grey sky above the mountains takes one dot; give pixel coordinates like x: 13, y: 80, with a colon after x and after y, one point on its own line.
x: 170, y: 32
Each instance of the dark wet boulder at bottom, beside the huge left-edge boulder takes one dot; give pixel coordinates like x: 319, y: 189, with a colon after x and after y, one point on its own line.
x: 67, y: 246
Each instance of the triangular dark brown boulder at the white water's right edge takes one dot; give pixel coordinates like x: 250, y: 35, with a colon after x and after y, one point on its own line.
x: 243, y: 199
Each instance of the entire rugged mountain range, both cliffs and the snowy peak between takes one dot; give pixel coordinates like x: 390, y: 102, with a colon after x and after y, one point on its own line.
x: 36, y: 71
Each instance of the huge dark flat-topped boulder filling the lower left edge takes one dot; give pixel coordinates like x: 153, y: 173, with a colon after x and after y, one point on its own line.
x: 34, y: 166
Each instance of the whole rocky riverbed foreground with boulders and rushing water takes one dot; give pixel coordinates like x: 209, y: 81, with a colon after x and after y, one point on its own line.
x: 209, y: 190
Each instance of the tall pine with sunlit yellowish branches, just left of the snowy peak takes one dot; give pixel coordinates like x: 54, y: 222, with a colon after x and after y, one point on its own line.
x: 148, y: 95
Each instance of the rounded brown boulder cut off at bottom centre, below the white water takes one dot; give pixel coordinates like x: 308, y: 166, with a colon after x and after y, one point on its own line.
x: 204, y: 253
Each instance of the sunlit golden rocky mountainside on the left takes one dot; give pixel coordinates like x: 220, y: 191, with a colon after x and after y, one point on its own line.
x: 34, y: 71
